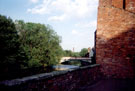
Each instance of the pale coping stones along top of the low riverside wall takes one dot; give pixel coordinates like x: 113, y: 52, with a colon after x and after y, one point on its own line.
x: 42, y: 76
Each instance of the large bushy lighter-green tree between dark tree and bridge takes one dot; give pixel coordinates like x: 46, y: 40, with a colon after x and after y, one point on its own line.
x: 40, y: 42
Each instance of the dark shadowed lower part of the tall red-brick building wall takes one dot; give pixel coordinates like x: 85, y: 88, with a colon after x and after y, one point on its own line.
x: 117, y: 55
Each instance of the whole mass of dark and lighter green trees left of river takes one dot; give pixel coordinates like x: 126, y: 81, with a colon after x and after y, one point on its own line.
x: 27, y: 45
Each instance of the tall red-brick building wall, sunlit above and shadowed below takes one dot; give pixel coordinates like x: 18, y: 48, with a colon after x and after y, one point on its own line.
x: 115, y: 38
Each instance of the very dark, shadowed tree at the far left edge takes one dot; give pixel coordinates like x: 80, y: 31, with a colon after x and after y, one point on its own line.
x: 10, y: 51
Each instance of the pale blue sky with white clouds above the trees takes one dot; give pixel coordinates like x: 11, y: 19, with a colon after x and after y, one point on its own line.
x: 74, y: 20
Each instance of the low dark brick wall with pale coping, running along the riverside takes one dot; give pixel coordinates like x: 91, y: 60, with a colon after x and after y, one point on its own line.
x: 55, y: 81
